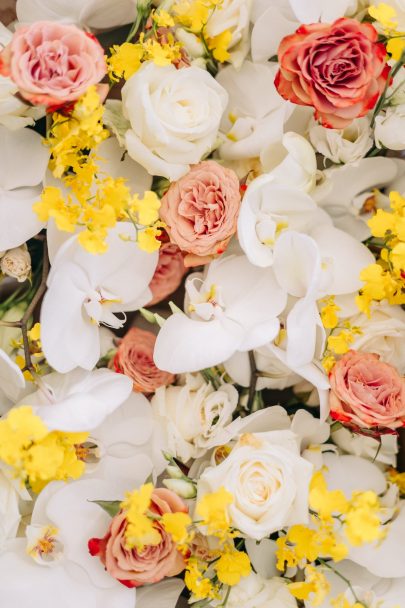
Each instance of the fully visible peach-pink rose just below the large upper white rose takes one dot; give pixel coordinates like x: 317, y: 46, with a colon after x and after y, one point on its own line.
x: 201, y: 211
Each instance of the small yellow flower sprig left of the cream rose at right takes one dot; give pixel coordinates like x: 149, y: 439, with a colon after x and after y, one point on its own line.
x: 342, y: 334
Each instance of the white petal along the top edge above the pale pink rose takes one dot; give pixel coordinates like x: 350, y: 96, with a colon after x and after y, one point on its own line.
x: 95, y: 14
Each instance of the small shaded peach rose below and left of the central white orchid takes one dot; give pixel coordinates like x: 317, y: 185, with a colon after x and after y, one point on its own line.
x: 134, y: 358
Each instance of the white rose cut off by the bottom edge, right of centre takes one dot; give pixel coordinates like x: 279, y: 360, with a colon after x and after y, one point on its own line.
x: 254, y: 591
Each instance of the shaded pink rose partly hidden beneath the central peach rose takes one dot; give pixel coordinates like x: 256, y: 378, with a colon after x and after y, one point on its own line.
x: 168, y: 274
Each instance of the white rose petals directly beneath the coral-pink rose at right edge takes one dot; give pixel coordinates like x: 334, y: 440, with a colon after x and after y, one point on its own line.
x: 367, y: 447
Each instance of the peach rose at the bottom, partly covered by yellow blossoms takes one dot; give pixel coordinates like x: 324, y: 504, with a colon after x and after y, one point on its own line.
x: 135, y: 568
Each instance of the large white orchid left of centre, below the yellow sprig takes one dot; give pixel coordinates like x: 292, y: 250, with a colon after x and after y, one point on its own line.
x: 85, y: 291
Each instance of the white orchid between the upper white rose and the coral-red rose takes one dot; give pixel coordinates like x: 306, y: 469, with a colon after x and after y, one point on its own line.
x: 255, y: 113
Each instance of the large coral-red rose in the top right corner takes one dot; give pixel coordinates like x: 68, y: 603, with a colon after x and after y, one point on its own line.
x: 339, y: 69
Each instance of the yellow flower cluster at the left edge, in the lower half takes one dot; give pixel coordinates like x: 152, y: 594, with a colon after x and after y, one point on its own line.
x: 36, y: 455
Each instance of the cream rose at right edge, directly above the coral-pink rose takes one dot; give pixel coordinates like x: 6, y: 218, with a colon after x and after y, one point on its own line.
x: 383, y: 333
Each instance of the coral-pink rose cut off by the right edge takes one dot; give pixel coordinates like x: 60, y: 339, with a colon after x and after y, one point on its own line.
x: 367, y: 393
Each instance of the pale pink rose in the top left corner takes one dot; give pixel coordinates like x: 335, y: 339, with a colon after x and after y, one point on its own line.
x: 52, y: 63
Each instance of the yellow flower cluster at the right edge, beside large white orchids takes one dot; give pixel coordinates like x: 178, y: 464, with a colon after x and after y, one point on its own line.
x: 385, y: 280
